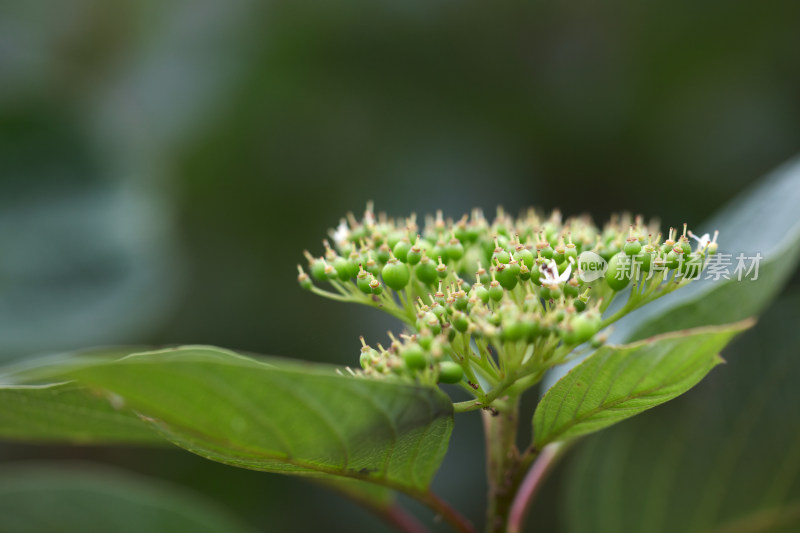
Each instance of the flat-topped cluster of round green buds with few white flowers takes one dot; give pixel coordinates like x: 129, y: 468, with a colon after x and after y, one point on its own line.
x: 484, y: 301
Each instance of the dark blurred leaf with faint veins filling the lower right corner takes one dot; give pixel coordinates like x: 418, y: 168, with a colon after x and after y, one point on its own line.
x: 724, y: 458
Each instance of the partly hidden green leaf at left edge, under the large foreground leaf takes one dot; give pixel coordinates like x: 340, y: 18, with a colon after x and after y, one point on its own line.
x: 67, y: 412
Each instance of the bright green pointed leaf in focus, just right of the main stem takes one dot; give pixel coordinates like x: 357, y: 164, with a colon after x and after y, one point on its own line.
x: 617, y: 382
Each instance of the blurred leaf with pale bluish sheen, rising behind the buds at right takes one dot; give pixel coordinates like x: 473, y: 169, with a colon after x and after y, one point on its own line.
x: 763, y: 219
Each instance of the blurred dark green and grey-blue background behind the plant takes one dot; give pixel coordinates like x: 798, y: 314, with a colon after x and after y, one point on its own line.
x: 164, y: 164
